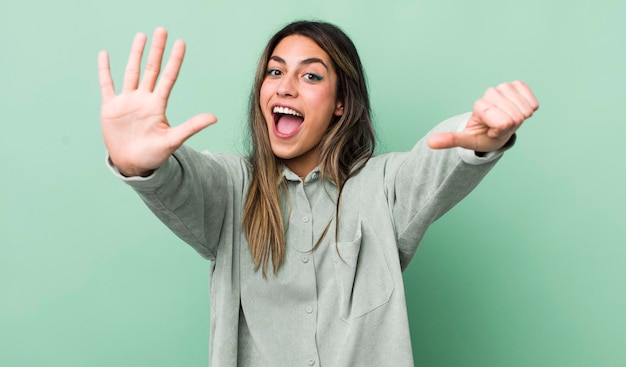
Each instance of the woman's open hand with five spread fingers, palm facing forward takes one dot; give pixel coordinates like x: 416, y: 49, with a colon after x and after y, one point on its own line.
x: 136, y: 132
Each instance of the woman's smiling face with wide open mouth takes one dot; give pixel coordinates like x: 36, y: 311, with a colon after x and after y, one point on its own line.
x: 298, y: 98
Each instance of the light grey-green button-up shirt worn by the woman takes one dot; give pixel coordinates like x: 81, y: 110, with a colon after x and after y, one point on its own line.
x: 340, y: 305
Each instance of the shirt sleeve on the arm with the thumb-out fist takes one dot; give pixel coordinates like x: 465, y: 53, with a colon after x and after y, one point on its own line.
x: 424, y: 183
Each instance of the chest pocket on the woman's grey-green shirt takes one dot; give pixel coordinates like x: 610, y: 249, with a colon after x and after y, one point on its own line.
x: 362, y: 274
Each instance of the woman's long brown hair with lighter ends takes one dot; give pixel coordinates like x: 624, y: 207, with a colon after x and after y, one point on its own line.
x: 344, y: 149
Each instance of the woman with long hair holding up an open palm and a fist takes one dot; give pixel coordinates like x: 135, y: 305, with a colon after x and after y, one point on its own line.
x: 309, y: 235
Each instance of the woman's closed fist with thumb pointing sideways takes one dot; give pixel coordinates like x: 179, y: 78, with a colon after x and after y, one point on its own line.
x: 494, y: 120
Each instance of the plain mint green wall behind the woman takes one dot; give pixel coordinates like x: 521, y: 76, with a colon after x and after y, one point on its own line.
x: 527, y: 271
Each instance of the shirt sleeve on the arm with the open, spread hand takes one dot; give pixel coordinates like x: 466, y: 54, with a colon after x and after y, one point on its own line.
x: 188, y: 193
